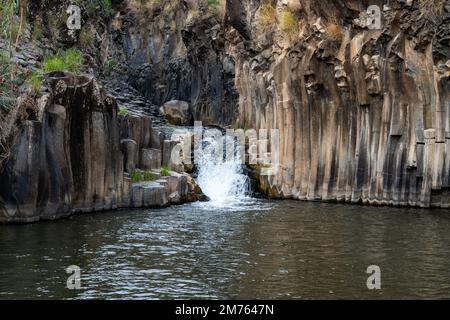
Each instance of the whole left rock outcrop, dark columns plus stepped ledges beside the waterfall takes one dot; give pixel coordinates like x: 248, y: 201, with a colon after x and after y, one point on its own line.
x: 76, y: 156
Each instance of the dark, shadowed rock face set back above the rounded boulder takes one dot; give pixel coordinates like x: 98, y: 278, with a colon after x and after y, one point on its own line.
x: 175, y: 51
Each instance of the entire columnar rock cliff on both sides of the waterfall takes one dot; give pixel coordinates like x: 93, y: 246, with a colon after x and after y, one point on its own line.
x: 363, y: 112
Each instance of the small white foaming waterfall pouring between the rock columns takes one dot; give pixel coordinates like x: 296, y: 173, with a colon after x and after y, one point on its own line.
x: 221, y: 177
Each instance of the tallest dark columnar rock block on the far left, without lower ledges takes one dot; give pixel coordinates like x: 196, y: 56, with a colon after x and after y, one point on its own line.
x: 62, y: 162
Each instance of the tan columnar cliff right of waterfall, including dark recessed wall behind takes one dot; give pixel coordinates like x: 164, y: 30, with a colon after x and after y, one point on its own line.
x: 363, y: 113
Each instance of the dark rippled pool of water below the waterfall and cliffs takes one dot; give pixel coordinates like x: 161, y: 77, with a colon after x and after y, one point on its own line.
x: 281, y: 250
